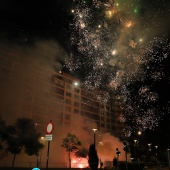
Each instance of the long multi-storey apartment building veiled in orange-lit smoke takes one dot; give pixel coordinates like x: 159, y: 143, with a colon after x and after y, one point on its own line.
x: 32, y: 90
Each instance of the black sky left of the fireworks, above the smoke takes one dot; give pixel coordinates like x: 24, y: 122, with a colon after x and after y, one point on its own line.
x: 26, y: 21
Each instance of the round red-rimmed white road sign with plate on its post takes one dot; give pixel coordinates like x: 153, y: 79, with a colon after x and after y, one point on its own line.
x: 48, y: 137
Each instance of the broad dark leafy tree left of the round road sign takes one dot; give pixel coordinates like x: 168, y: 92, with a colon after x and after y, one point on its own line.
x: 22, y: 135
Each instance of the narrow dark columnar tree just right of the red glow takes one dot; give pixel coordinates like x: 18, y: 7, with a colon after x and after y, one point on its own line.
x: 93, y: 158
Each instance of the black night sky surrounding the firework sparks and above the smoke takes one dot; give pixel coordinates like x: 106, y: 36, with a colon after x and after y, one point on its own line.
x: 24, y: 23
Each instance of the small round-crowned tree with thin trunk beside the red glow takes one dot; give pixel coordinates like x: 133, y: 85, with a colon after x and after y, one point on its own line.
x: 71, y: 144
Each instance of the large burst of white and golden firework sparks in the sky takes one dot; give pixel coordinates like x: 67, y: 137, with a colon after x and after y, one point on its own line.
x: 104, y: 34
